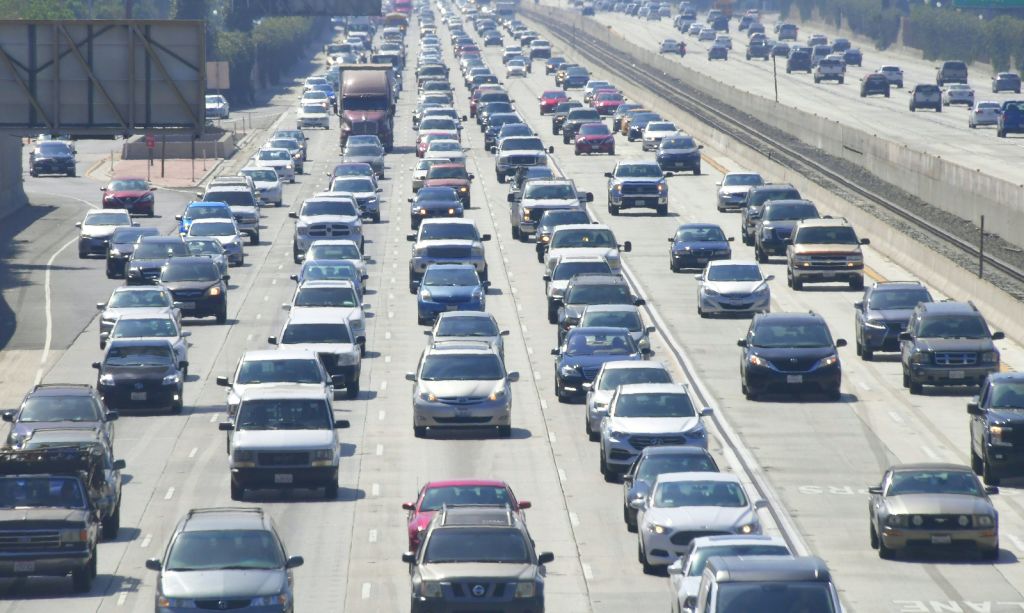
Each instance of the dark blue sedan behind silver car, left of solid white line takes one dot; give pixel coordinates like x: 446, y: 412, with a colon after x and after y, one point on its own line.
x: 583, y: 354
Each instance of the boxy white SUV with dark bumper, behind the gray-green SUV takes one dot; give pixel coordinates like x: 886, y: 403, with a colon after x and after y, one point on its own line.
x: 284, y: 439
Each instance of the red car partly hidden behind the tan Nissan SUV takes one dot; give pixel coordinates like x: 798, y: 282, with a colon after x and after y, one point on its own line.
x: 458, y: 493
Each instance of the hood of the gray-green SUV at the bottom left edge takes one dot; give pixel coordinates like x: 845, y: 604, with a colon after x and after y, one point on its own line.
x: 223, y: 584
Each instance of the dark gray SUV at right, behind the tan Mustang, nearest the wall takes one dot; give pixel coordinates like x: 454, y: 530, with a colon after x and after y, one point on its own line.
x: 948, y: 344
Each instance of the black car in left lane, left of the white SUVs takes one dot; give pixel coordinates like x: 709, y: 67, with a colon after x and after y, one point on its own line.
x: 142, y: 374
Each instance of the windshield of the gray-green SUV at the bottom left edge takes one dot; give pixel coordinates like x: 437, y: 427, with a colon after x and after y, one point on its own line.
x: 223, y: 550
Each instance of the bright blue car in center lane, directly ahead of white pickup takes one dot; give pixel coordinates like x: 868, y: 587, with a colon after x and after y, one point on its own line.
x: 449, y: 288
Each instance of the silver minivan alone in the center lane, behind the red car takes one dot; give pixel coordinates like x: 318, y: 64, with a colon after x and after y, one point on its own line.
x: 462, y: 384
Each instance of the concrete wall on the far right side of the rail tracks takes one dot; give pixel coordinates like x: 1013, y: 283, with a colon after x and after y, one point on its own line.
x: 967, y: 193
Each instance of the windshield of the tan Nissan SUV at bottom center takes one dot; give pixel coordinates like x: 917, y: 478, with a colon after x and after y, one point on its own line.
x: 497, y: 546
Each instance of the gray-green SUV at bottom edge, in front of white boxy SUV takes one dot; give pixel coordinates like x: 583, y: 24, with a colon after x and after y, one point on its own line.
x: 227, y: 558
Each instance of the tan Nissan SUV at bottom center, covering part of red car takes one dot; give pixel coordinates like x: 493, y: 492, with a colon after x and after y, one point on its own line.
x: 478, y: 558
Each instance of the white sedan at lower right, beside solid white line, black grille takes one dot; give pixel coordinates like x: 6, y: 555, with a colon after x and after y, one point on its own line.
x: 687, y: 505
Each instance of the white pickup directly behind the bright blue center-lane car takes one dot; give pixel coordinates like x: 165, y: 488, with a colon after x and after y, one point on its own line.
x: 446, y: 242
